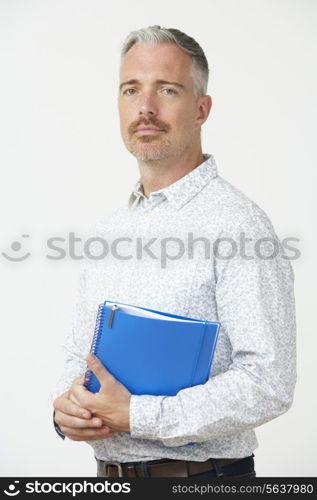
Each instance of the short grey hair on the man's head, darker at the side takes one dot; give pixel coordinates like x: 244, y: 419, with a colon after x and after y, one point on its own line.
x: 156, y: 34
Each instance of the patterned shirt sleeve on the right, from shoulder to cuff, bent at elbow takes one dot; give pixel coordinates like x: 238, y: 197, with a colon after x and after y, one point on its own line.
x: 256, y: 309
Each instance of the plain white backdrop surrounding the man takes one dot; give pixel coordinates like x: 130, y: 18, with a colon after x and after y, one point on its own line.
x: 63, y: 165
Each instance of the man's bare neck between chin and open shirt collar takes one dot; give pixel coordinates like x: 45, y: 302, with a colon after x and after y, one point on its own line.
x: 158, y: 174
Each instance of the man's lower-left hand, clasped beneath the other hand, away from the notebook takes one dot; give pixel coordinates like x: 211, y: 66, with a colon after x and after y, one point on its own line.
x: 76, y: 422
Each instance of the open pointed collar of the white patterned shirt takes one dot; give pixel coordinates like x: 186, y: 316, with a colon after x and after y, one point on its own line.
x: 180, y: 192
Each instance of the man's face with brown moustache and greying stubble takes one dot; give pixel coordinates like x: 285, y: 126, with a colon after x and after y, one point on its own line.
x: 157, y: 90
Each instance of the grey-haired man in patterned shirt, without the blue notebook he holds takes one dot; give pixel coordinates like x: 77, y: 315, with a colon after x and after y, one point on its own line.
x: 234, y: 272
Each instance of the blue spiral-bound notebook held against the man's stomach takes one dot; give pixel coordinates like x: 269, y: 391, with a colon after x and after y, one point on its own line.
x: 152, y: 352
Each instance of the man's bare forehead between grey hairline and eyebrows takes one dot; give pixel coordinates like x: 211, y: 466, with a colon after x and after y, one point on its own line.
x: 165, y: 61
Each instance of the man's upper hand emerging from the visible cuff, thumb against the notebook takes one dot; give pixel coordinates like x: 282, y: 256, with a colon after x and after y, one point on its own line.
x: 111, y: 404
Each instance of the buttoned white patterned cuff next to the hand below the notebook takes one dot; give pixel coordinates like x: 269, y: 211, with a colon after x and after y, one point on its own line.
x: 145, y: 416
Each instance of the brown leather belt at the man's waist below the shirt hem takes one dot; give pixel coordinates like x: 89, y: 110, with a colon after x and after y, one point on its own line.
x: 158, y: 468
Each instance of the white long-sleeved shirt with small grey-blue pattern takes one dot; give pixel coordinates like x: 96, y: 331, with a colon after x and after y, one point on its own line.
x: 197, y: 248
